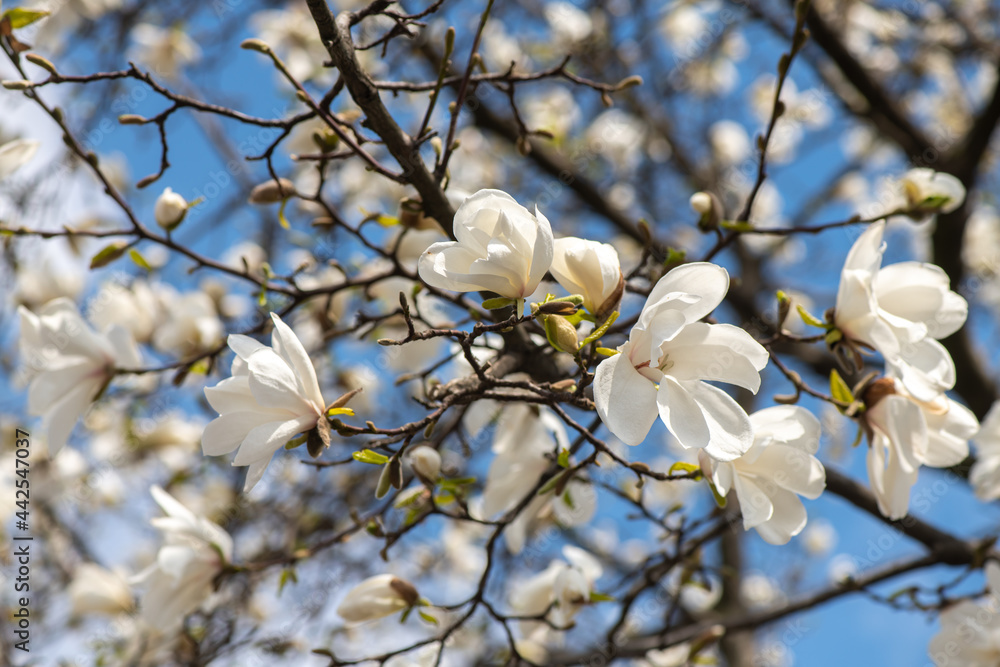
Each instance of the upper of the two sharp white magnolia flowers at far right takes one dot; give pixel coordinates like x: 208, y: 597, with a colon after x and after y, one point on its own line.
x: 900, y: 311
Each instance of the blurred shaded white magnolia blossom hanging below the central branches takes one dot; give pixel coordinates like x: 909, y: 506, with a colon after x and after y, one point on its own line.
x: 526, y: 438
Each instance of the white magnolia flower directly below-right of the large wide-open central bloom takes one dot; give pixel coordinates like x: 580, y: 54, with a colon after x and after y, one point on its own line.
x: 775, y: 471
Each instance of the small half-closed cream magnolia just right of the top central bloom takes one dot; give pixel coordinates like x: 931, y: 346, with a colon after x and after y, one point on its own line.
x: 590, y: 269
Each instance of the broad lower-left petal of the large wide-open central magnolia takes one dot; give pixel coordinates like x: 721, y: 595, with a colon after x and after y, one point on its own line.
x: 625, y: 400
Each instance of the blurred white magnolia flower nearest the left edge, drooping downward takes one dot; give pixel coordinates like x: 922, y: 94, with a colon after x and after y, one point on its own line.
x: 70, y: 365
